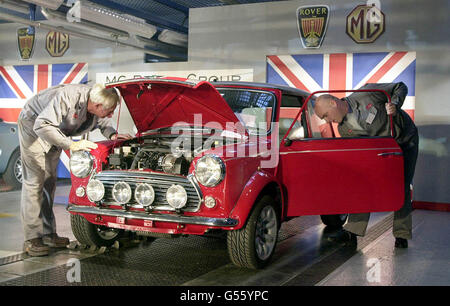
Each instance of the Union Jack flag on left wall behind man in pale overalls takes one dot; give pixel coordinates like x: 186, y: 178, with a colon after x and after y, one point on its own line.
x: 19, y: 83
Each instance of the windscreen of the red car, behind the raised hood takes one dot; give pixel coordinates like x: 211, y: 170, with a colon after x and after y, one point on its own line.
x: 254, y: 108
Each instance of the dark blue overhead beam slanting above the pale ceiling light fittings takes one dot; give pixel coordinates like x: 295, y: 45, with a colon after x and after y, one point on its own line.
x: 149, y: 17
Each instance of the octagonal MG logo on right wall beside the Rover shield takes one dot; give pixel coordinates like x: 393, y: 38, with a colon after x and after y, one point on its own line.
x: 365, y: 24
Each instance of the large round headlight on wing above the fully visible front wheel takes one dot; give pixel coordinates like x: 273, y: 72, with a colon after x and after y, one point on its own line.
x: 209, y: 170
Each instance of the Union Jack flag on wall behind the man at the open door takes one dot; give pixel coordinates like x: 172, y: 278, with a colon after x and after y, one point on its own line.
x: 313, y: 72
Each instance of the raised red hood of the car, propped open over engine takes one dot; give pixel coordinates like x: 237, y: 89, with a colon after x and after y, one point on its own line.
x: 164, y: 102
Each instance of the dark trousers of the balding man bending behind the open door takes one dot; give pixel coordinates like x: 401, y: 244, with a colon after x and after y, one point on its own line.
x: 402, y: 227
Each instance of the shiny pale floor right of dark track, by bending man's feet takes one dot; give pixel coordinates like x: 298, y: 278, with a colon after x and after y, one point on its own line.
x: 425, y: 263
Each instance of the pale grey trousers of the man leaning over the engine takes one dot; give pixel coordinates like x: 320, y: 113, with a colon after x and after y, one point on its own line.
x: 39, y: 183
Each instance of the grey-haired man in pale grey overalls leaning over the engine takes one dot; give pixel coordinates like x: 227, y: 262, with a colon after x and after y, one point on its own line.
x: 45, y: 125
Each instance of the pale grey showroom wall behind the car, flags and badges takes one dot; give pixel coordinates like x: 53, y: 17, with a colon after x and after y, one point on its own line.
x: 235, y: 37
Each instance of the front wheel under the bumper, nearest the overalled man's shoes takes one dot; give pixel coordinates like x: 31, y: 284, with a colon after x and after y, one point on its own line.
x: 92, y: 234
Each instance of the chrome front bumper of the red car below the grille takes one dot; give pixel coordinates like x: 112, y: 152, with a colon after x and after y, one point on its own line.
x: 220, y: 222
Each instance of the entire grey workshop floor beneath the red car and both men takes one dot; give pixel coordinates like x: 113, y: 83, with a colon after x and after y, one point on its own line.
x: 303, y: 258
